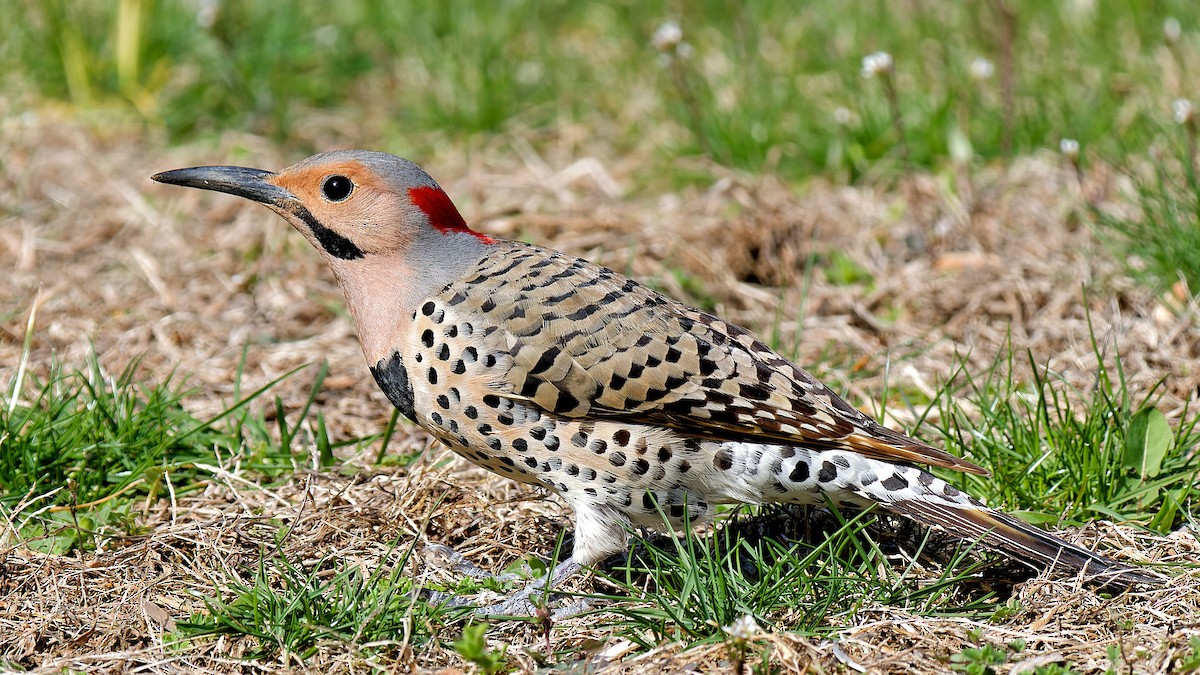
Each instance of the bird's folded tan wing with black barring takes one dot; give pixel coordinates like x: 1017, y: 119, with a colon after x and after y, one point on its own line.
x: 584, y: 342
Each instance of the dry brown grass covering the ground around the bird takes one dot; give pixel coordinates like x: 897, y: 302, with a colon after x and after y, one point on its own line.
x: 187, y: 279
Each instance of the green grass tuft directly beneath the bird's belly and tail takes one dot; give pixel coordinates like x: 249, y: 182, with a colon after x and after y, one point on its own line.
x: 694, y: 589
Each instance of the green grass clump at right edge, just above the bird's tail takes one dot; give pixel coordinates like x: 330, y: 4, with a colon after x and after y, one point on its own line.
x: 1057, y: 455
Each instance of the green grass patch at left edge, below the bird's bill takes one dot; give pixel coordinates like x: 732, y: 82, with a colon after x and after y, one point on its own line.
x: 83, y: 451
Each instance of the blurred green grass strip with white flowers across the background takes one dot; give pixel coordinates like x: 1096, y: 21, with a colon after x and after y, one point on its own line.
x: 759, y: 86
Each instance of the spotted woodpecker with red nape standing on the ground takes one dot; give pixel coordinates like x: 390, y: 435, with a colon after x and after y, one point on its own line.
x: 637, y: 410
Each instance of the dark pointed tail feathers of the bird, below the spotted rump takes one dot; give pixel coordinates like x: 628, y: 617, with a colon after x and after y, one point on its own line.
x: 1022, y: 541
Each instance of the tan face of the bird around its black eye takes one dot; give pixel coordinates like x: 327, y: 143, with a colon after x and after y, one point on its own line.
x: 352, y: 202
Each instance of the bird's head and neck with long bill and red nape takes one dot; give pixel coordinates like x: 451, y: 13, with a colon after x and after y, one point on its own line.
x: 389, y: 232
